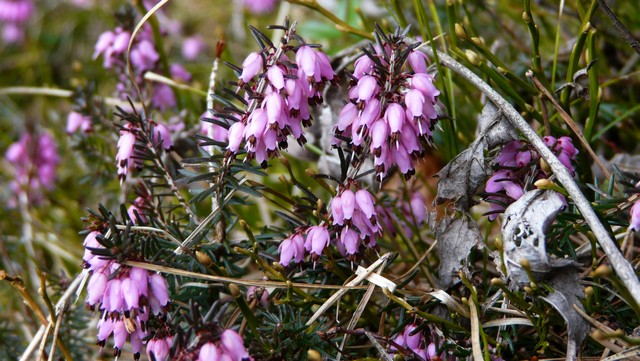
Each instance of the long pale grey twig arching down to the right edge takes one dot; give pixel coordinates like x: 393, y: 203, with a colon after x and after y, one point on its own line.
x: 623, y: 268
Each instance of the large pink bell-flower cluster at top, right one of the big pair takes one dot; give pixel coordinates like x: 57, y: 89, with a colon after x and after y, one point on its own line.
x: 391, y: 108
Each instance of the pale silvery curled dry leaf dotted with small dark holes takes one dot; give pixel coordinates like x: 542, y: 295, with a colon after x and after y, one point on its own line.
x: 523, y: 233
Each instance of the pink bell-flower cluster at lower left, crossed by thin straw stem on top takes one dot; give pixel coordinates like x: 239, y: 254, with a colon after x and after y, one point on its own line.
x: 126, y: 297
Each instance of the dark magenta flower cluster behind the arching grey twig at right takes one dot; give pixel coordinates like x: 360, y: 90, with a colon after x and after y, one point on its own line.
x: 519, y: 167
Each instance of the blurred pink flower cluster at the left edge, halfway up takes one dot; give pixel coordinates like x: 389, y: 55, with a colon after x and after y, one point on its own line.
x: 34, y: 160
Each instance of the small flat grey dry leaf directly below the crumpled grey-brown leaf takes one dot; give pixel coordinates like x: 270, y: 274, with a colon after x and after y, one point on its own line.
x: 456, y: 236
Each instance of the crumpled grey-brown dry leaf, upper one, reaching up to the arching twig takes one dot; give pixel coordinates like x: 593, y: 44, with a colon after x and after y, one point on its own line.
x: 461, y: 178
